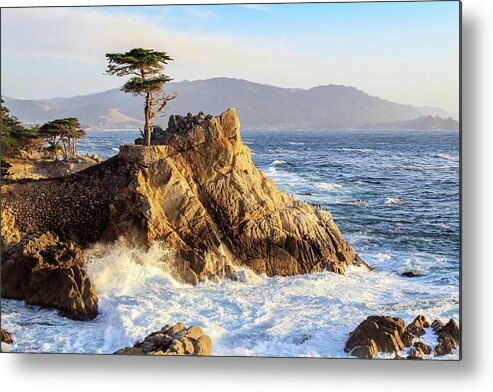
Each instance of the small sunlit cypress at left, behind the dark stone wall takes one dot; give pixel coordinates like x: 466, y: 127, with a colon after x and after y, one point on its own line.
x: 61, y: 135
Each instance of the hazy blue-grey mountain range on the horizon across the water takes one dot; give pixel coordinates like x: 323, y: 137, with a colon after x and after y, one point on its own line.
x: 259, y: 106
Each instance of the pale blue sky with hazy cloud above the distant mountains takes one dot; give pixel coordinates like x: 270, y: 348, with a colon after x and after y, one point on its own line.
x: 405, y: 52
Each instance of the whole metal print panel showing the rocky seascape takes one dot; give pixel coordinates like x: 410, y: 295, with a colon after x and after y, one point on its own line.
x: 277, y: 180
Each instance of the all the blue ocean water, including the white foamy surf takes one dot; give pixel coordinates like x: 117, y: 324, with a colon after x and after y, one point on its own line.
x: 395, y: 197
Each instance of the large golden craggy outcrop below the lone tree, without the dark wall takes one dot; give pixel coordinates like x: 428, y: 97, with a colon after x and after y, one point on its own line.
x: 201, y: 195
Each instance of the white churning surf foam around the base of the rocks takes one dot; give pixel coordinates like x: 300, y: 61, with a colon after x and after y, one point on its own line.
x: 304, y: 315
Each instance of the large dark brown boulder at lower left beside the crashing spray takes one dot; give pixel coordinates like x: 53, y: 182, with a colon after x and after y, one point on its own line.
x: 44, y: 271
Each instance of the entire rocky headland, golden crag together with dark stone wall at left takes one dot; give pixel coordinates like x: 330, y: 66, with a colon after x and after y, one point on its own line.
x: 197, y: 192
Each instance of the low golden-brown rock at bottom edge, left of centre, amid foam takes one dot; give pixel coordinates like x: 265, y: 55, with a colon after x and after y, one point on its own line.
x: 172, y: 340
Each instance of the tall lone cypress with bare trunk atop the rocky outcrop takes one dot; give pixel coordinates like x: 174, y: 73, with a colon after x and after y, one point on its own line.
x: 145, y: 66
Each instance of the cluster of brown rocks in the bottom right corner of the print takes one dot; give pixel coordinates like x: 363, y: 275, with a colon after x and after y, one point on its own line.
x: 384, y: 334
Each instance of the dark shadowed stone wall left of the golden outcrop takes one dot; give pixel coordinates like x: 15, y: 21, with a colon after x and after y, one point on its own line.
x: 74, y: 207
